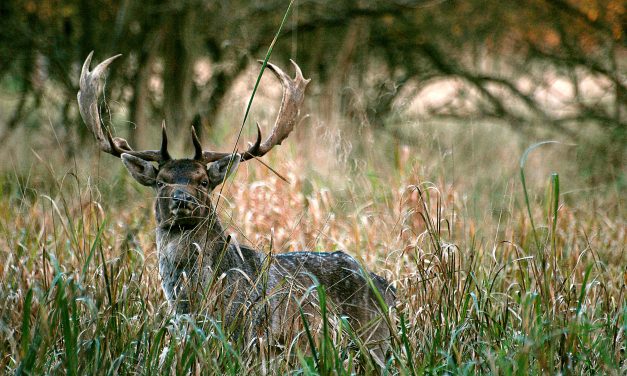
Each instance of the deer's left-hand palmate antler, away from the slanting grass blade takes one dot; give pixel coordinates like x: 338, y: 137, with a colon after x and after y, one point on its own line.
x: 90, y: 87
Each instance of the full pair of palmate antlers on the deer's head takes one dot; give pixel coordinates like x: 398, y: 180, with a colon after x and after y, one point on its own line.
x: 91, y: 87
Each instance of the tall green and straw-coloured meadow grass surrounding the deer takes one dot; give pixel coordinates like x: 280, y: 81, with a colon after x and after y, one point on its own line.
x: 491, y: 277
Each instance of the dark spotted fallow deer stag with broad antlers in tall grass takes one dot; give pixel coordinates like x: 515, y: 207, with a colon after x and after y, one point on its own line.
x: 260, y: 295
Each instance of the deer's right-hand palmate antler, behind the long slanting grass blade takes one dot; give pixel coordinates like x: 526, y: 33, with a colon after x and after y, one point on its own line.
x: 293, y: 97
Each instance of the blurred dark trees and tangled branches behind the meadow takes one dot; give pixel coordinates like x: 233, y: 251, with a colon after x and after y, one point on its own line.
x: 543, y: 68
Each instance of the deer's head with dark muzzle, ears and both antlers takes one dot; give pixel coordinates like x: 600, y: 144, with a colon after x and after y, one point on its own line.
x: 183, y: 185
